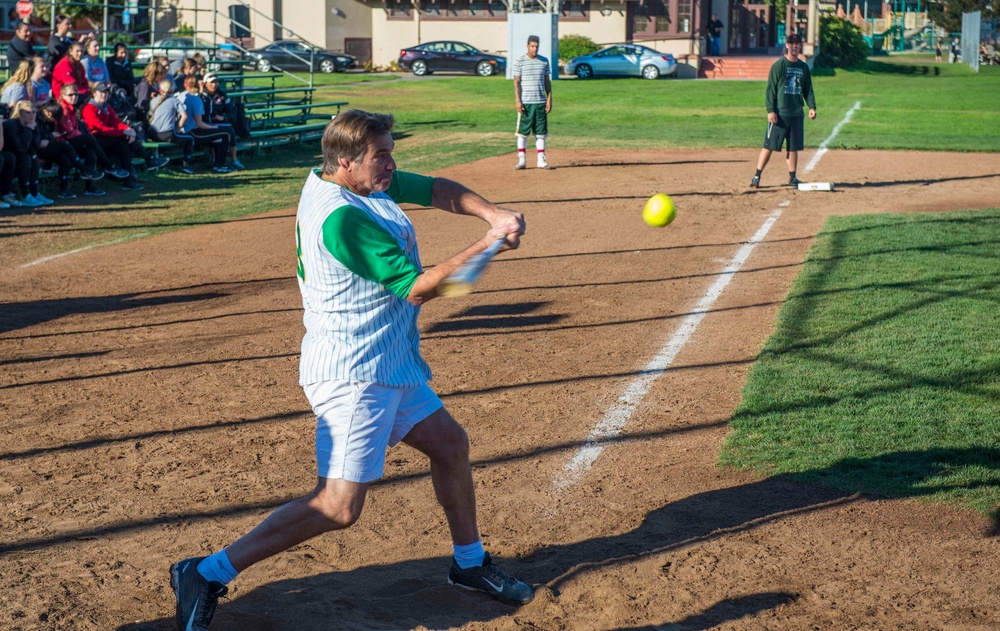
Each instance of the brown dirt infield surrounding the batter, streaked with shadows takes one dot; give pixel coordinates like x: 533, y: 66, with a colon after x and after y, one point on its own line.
x: 151, y: 411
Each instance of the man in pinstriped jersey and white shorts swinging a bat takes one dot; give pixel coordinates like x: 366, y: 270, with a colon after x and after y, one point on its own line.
x: 362, y: 285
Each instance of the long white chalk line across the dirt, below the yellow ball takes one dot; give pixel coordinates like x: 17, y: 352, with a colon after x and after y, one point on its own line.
x: 617, y: 417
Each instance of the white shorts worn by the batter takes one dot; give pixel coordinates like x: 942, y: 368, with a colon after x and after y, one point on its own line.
x: 356, y: 421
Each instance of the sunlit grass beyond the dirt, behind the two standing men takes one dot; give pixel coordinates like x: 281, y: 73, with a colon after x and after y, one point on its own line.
x: 948, y: 108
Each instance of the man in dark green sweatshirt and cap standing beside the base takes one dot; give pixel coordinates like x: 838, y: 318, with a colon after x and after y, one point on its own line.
x: 788, y: 84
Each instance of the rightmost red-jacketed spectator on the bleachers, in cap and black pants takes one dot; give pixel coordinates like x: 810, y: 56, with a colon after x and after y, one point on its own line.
x: 116, y: 138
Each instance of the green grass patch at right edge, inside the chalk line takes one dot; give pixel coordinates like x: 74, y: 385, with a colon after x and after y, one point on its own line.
x: 883, y: 376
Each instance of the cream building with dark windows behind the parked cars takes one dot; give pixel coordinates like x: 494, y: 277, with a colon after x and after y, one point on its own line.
x: 376, y: 30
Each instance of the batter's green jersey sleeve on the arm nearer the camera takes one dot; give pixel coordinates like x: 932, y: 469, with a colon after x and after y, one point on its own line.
x: 364, y: 247
